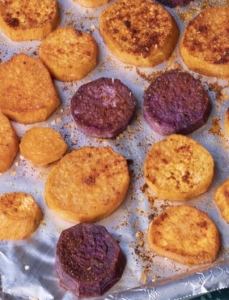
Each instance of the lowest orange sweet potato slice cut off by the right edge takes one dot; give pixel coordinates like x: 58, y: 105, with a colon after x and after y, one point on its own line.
x: 221, y: 198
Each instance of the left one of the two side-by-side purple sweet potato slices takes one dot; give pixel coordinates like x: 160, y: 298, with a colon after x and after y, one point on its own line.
x: 103, y: 108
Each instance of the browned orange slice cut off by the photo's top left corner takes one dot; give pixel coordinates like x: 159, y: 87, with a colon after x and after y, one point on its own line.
x: 23, y: 20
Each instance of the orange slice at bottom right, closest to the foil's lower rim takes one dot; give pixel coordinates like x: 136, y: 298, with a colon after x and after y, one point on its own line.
x: 184, y: 234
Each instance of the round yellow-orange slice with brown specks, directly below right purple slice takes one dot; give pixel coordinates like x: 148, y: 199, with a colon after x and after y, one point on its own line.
x: 178, y: 168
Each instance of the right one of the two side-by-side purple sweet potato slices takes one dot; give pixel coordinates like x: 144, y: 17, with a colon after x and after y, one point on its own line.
x: 176, y: 102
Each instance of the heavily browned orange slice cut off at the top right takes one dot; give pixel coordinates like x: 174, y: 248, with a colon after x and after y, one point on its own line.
x: 205, y: 42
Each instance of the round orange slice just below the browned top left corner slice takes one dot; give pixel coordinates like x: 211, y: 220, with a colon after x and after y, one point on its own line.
x: 68, y: 53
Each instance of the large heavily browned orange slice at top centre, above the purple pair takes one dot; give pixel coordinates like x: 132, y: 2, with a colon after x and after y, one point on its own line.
x: 138, y: 32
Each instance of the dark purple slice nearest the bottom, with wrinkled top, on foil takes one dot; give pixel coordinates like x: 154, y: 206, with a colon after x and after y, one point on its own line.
x: 88, y: 260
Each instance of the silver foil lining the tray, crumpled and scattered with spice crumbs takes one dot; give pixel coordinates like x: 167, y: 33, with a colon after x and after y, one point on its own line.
x: 27, y: 267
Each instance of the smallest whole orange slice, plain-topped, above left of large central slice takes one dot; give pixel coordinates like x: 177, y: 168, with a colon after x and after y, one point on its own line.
x: 42, y: 146
